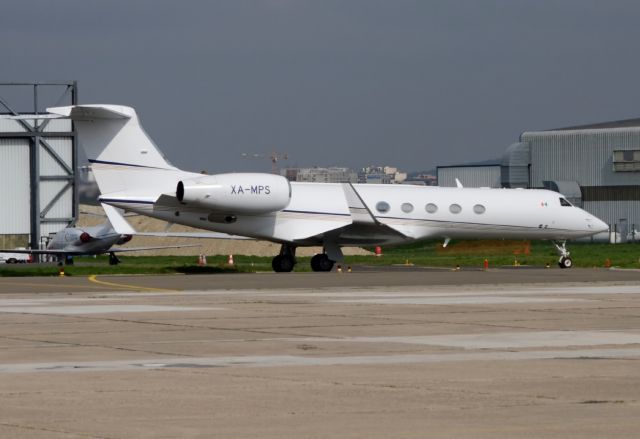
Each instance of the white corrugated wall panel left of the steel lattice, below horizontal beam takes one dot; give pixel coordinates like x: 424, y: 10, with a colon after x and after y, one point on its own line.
x: 14, y: 186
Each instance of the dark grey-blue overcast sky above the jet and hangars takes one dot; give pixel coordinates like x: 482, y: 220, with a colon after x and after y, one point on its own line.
x: 414, y: 84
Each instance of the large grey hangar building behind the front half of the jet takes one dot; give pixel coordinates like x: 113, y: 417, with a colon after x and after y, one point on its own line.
x: 597, y: 167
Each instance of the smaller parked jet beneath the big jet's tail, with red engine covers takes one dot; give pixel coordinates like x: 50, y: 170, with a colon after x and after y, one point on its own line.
x: 93, y: 240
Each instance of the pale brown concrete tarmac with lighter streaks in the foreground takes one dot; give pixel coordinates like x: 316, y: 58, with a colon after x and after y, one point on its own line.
x: 396, y: 353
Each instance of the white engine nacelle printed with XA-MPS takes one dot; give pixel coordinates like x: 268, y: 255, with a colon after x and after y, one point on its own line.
x: 236, y: 193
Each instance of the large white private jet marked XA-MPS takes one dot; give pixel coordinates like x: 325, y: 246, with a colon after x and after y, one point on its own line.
x: 134, y: 175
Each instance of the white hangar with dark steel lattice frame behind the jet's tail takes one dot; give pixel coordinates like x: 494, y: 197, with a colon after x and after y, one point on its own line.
x: 38, y: 159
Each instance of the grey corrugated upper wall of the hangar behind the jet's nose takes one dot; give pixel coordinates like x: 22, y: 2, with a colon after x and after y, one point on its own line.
x: 584, y: 156
